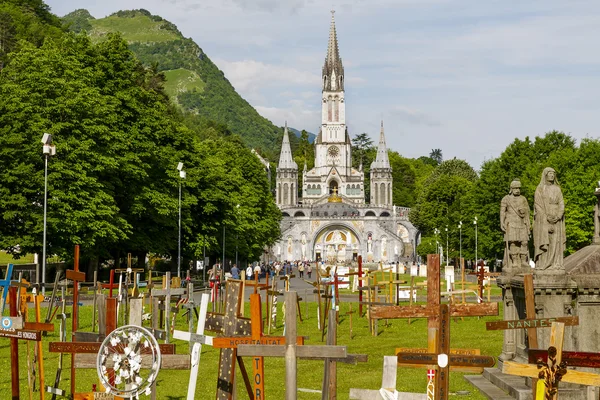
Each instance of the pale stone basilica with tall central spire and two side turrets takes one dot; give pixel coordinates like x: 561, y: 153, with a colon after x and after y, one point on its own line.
x: 331, y: 220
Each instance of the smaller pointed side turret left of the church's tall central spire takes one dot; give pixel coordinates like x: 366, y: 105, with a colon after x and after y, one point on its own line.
x: 286, y: 191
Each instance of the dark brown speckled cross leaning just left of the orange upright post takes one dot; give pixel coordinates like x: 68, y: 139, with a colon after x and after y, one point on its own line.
x: 228, y: 324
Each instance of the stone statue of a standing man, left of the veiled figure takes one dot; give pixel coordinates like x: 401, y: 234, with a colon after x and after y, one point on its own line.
x: 515, y: 223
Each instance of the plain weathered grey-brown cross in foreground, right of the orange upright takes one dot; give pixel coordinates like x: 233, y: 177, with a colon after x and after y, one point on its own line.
x: 291, y: 350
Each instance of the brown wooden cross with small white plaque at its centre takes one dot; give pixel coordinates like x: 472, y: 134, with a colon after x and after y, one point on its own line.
x: 444, y: 358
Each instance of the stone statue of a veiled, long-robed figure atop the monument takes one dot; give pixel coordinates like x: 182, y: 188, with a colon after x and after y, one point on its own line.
x: 549, y: 236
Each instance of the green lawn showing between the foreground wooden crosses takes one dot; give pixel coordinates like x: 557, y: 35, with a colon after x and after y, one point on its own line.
x: 469, y: 333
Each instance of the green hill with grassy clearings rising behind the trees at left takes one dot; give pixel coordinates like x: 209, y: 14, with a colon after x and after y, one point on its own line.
x: 193, y: 81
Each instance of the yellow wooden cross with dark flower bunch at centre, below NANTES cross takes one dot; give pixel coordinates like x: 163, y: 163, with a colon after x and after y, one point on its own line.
x: 554, y: 371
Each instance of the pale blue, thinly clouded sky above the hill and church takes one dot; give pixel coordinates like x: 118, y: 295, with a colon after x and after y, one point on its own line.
x: 465, y: 76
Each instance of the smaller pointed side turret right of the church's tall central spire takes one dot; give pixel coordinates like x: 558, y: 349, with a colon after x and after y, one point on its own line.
x: 381, y: 175
